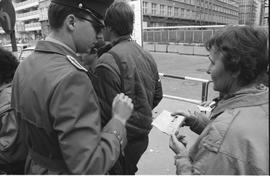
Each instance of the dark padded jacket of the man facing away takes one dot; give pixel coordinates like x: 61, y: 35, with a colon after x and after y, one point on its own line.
x: 141, y: 84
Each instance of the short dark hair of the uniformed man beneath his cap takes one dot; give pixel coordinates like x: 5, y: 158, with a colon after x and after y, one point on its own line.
x: 58, y: 13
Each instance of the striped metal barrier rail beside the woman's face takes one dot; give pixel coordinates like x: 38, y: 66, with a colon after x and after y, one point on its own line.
x: 205, y: 86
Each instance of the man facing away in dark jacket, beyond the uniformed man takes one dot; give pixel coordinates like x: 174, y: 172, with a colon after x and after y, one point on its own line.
x: 127, y: 68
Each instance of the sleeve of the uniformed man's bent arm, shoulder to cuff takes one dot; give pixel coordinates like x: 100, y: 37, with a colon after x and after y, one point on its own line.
x: 85, y: 148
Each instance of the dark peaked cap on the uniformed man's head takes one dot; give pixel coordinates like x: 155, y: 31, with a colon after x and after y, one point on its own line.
x: 97, y: 7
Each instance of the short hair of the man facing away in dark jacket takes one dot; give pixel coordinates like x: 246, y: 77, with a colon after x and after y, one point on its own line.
x: 120, y: 17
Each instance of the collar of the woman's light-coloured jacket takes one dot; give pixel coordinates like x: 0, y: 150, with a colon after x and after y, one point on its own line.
x: 254, y: 95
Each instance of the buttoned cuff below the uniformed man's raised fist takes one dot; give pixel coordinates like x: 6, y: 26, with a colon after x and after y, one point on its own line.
x: 117, y: 128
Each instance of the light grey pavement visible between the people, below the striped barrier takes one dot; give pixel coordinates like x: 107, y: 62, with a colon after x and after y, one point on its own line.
x: 158, y: 159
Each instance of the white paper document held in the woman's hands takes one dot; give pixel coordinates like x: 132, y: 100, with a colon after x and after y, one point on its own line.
x: 167, y: 123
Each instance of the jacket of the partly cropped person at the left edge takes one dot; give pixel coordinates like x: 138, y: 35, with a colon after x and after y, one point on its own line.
x: 12, y: 149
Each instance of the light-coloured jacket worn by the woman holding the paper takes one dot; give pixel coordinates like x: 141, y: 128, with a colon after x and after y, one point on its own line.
x: 237, y: 140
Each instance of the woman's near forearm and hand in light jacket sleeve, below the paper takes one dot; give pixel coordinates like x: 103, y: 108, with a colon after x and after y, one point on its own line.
x: 207, y: 157
